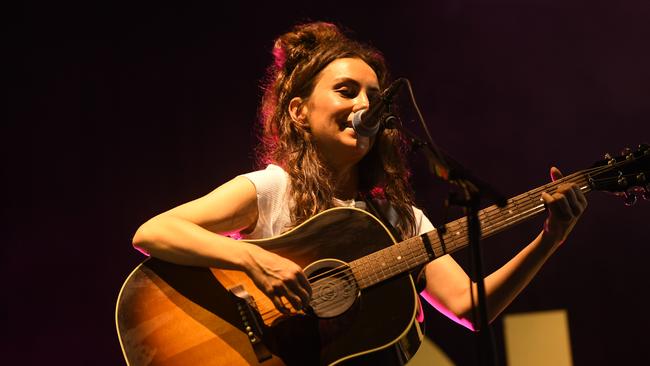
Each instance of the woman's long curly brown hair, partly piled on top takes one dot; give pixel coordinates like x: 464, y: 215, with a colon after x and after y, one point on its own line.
x: 299, y: 56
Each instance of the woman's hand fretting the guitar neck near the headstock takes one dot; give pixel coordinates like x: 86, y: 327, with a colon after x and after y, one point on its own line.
x: 565, y: 206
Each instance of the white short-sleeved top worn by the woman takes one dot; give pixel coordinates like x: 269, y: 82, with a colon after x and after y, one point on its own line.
x: 274, y: 202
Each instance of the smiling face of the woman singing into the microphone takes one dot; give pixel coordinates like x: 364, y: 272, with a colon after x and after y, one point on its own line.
x: 343, y: 87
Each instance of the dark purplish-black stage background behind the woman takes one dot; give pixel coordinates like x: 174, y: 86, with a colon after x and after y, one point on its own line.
x: 117, y: 112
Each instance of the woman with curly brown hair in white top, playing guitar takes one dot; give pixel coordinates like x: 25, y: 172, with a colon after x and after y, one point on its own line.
x: 319, y: 79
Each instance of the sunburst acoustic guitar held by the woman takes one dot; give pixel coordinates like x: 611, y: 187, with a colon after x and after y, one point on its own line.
x: 364, y: 301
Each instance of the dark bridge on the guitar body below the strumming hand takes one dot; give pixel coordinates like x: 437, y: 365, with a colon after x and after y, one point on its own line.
x: 248, y: 312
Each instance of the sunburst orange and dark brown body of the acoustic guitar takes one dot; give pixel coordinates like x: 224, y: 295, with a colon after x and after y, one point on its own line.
x: 178, y: 315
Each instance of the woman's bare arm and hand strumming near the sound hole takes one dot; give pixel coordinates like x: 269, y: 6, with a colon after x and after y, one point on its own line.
x: 190, y: 235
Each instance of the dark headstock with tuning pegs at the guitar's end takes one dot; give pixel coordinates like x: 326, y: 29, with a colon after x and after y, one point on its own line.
x: 627, y: 175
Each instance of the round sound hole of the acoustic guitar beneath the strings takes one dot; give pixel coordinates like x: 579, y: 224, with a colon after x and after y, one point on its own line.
x: 334, y: 289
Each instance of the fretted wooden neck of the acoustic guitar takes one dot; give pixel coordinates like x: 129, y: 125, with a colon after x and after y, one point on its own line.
x: 418, y: 250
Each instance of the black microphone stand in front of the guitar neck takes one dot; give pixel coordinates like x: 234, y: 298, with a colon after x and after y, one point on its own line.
x: 474, y: 190
